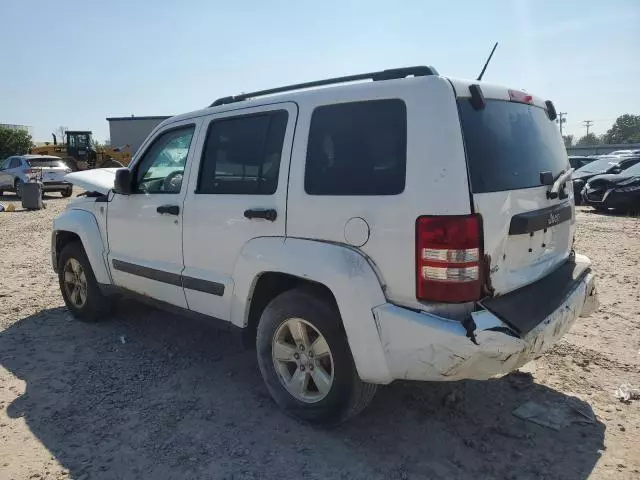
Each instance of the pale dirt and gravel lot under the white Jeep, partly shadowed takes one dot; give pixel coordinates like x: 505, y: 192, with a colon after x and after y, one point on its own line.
x: 153, y: 395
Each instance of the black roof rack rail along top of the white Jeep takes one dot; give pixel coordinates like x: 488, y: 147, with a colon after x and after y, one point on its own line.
x: 390, y: 74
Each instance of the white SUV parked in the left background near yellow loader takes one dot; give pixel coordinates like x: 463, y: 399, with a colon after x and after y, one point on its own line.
x: 49, y: 170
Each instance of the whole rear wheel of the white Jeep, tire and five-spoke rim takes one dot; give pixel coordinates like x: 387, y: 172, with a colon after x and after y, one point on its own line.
x: 306, y: 362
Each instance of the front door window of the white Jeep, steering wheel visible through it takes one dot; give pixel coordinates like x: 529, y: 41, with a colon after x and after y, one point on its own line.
x: 162, y: 166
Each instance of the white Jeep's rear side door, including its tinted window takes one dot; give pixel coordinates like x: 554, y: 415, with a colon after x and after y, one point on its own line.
x: 239, y: 193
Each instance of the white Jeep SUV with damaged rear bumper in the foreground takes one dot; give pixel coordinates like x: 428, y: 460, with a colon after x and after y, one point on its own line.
x: 408, y: 227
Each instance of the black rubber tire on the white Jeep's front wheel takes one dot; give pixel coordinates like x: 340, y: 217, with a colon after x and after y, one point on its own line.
x: 96, y: 306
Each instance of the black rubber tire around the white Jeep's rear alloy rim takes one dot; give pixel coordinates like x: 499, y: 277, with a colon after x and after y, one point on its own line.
x: 347, y: 395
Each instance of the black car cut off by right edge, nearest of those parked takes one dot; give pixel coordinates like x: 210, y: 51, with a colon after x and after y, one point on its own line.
x: 620, y: 191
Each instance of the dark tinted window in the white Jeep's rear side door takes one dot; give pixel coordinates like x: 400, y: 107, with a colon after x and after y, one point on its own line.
x: 242, y: 154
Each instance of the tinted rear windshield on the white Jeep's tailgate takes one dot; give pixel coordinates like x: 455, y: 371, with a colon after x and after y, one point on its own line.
x: 509, y: 144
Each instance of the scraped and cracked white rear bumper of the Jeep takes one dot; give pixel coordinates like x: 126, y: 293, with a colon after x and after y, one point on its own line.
x: 422, y: 346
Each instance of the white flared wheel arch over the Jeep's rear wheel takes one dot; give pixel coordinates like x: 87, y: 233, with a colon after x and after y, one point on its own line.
x: 344, y: 270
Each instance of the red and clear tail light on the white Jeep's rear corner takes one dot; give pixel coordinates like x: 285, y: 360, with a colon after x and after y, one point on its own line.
x: 448, y: 253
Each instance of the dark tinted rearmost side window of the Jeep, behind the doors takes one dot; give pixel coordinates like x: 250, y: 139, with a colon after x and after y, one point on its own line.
x: 357, y: 149
